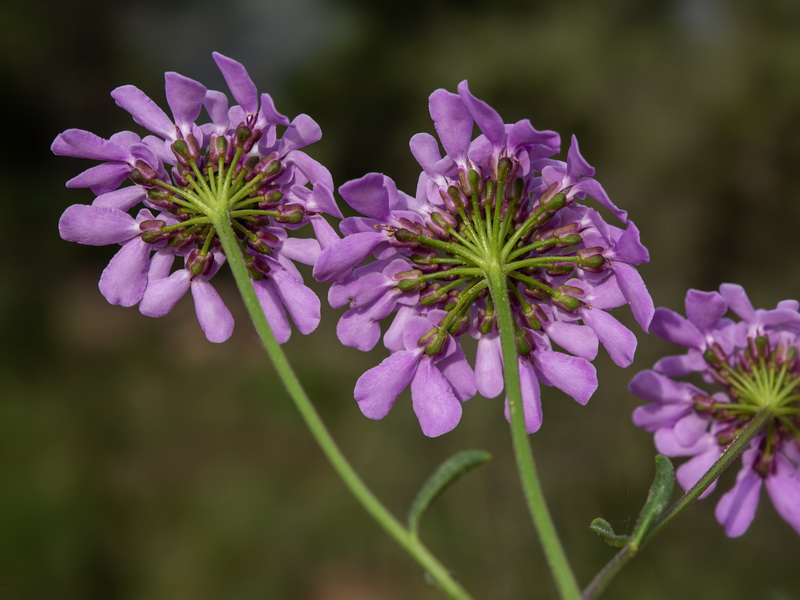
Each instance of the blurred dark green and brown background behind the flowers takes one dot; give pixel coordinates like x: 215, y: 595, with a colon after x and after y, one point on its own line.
x: 140, y: 461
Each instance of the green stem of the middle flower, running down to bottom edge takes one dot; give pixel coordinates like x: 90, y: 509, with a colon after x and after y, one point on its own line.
x: 543, y: 522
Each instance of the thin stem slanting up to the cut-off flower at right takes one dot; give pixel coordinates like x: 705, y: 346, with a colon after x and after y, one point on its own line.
x: 730, y: 454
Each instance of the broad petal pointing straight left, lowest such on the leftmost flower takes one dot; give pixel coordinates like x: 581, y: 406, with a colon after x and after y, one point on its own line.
x: 96, y: 226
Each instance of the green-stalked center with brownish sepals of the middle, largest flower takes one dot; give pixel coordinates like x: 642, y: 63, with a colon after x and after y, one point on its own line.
x: 492, y: 222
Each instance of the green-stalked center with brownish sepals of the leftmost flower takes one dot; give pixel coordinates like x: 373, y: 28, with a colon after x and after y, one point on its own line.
x: 225, y: 179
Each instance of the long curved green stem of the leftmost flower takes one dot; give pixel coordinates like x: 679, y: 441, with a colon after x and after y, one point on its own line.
x: 371, y: 504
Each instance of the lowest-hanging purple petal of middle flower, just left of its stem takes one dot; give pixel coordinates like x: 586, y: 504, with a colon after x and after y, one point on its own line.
x: 436, y: 406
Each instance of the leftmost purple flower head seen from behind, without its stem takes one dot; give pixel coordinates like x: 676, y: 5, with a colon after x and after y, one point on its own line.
x: 189, y: 177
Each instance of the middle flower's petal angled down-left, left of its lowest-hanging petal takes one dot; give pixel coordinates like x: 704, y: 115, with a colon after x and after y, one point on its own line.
x: 377, y: 389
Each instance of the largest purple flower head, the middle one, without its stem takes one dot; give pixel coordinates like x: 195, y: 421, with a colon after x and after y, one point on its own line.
x: 497, y: 203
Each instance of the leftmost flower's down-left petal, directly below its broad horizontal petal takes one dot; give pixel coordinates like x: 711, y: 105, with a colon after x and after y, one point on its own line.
x: 124, y: 279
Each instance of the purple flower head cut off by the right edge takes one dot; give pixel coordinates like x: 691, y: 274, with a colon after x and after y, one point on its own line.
x: 753, y: 365
